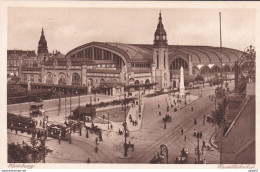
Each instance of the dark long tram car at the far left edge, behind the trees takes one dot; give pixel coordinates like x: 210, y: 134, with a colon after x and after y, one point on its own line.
x: 21, y: 123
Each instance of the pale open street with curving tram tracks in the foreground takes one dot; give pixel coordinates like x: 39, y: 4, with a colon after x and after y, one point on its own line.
x: 147, y: 139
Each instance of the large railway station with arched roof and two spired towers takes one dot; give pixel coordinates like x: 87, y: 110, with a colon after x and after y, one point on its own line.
x: 133, y: 66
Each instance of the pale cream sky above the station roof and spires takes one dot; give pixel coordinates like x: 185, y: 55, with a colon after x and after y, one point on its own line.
x: 67, y: 28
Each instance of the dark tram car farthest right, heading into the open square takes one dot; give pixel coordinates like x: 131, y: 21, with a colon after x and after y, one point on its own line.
x: 54, y: 130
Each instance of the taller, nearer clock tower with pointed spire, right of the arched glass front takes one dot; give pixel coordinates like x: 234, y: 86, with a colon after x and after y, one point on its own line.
x: 161, y: 73
